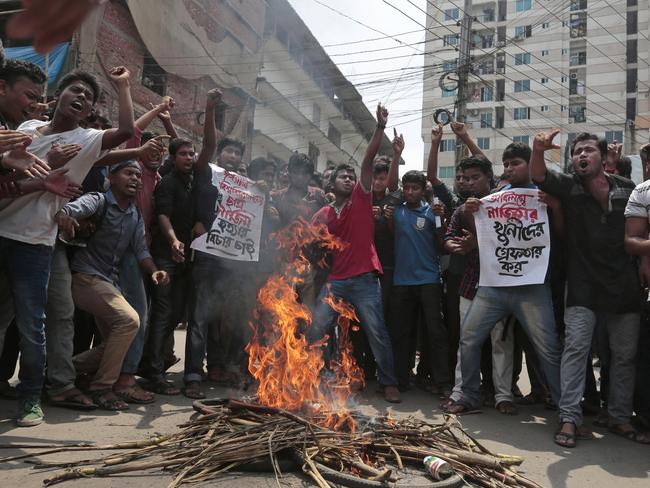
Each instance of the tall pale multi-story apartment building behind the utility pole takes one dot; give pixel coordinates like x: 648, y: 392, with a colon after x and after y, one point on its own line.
x: 577, y: 65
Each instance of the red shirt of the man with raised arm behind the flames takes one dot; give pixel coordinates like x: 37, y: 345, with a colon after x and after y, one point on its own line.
x: 354, y: 225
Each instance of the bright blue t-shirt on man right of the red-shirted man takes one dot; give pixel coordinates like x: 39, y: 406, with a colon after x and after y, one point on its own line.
x: 416, y: 256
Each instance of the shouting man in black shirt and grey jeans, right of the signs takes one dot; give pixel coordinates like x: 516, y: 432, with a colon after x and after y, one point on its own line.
x: 602, y: 279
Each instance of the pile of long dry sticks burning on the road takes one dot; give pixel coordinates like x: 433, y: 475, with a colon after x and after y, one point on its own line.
x: 234, y: 433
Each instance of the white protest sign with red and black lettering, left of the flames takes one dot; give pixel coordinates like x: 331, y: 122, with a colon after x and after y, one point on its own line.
x: 237, y: 228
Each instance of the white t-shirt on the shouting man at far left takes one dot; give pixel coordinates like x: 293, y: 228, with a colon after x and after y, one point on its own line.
x: 30, y: 218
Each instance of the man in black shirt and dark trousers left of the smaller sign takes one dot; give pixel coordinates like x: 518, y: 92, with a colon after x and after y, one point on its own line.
x: 174, y: 202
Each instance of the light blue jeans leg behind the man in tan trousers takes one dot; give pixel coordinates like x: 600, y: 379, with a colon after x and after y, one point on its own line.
x: 132, y: 287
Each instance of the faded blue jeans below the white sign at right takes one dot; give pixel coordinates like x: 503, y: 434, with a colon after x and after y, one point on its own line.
x: 532, y: 307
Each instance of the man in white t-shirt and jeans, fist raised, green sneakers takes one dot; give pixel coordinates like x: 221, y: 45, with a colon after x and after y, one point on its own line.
x: 27, y: 227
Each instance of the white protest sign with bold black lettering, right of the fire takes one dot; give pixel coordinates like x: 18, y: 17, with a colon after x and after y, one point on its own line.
x: 513, y: 238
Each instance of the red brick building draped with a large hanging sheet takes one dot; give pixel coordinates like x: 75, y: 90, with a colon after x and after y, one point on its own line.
x: 181, y: 49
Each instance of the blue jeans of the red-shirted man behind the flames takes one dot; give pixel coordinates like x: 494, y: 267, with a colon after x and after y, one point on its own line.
x: 364, y: 293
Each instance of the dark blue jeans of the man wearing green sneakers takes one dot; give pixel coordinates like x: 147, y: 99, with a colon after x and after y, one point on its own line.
x: 27, y: 267
